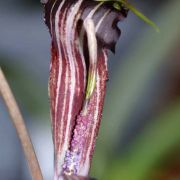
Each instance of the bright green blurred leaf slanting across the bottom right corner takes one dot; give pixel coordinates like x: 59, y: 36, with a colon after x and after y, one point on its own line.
x: 154, y: 143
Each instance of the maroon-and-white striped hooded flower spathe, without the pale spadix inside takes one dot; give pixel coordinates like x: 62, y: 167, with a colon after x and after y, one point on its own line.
x: 75, y: 132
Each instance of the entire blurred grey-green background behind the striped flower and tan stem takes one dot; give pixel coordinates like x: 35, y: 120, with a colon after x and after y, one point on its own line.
x: 139, y: 138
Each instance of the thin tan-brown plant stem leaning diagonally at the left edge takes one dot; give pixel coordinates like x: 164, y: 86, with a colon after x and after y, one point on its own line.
x: 19, y: 124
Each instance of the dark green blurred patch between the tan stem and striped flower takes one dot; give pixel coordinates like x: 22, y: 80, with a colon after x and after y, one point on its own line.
x: 22, y: 81
